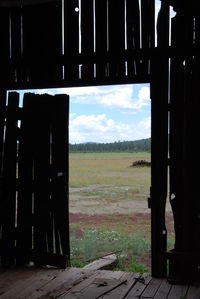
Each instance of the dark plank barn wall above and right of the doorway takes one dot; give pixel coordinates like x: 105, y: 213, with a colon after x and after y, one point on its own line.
x: 94, y: 54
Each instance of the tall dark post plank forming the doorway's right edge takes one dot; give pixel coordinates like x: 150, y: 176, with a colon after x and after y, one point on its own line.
x: 159, y: 154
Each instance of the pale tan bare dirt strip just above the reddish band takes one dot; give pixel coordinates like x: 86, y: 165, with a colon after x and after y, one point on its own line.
x: 96, y: 203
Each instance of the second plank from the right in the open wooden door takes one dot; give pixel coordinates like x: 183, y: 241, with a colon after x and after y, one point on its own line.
x: 42, y: 224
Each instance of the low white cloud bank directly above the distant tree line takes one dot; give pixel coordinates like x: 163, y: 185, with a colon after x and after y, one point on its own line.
x: 100, y: 128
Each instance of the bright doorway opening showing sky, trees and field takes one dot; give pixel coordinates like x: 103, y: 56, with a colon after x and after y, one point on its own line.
x: 109, y: 182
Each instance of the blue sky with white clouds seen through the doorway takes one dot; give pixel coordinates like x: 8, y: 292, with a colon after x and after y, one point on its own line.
x: 108, y: 113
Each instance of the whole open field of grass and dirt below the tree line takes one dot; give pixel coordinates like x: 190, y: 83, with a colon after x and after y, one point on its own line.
x: 108, y: 209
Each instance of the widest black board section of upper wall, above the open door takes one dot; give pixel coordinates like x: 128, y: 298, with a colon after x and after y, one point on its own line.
x: 42, y: 32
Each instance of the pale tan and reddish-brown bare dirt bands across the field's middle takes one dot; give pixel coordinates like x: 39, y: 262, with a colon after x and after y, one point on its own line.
x: 94, y: 212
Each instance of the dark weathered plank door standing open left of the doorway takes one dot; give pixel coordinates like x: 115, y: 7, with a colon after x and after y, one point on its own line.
x: 34, y: 190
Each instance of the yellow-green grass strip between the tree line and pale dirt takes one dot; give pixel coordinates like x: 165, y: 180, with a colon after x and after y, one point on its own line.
x: 87, y: 169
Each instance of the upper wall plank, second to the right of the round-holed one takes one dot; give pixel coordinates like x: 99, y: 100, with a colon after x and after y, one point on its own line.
x: 101, y: 35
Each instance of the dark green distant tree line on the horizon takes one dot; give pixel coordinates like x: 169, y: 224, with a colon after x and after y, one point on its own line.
x: 143, y: 145
